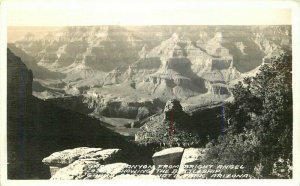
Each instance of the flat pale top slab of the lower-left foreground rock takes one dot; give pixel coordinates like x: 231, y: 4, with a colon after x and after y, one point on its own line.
x: 64, y: 158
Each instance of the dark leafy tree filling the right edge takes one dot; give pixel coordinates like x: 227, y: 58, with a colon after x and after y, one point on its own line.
x: 259, y: 120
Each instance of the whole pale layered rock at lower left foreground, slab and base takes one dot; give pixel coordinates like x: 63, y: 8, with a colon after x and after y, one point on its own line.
x: 83, y: 163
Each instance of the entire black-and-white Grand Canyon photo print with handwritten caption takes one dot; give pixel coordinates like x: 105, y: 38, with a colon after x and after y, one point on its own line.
x: 155, y: 101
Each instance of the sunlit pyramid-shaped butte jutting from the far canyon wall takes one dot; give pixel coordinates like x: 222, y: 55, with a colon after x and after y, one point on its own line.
x: 174, y: 77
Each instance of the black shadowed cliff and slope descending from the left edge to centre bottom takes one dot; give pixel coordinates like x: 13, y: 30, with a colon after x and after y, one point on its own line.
x: 37, y: 128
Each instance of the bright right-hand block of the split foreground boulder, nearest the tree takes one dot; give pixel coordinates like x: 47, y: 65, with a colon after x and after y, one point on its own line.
x: 191, y: 156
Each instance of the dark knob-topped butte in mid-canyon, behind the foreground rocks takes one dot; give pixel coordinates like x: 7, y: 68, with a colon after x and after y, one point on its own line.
x: 174, y: 127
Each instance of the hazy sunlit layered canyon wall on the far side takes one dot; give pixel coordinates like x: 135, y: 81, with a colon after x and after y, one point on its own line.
x: 195, y: 64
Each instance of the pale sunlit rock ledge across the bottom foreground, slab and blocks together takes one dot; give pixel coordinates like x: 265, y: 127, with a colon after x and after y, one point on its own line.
x: 85, y: 163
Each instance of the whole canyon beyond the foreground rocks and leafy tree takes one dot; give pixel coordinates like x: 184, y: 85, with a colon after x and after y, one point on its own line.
x: 112, y: 87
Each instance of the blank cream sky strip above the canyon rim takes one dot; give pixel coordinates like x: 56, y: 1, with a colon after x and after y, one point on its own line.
x: 146, y: 12
